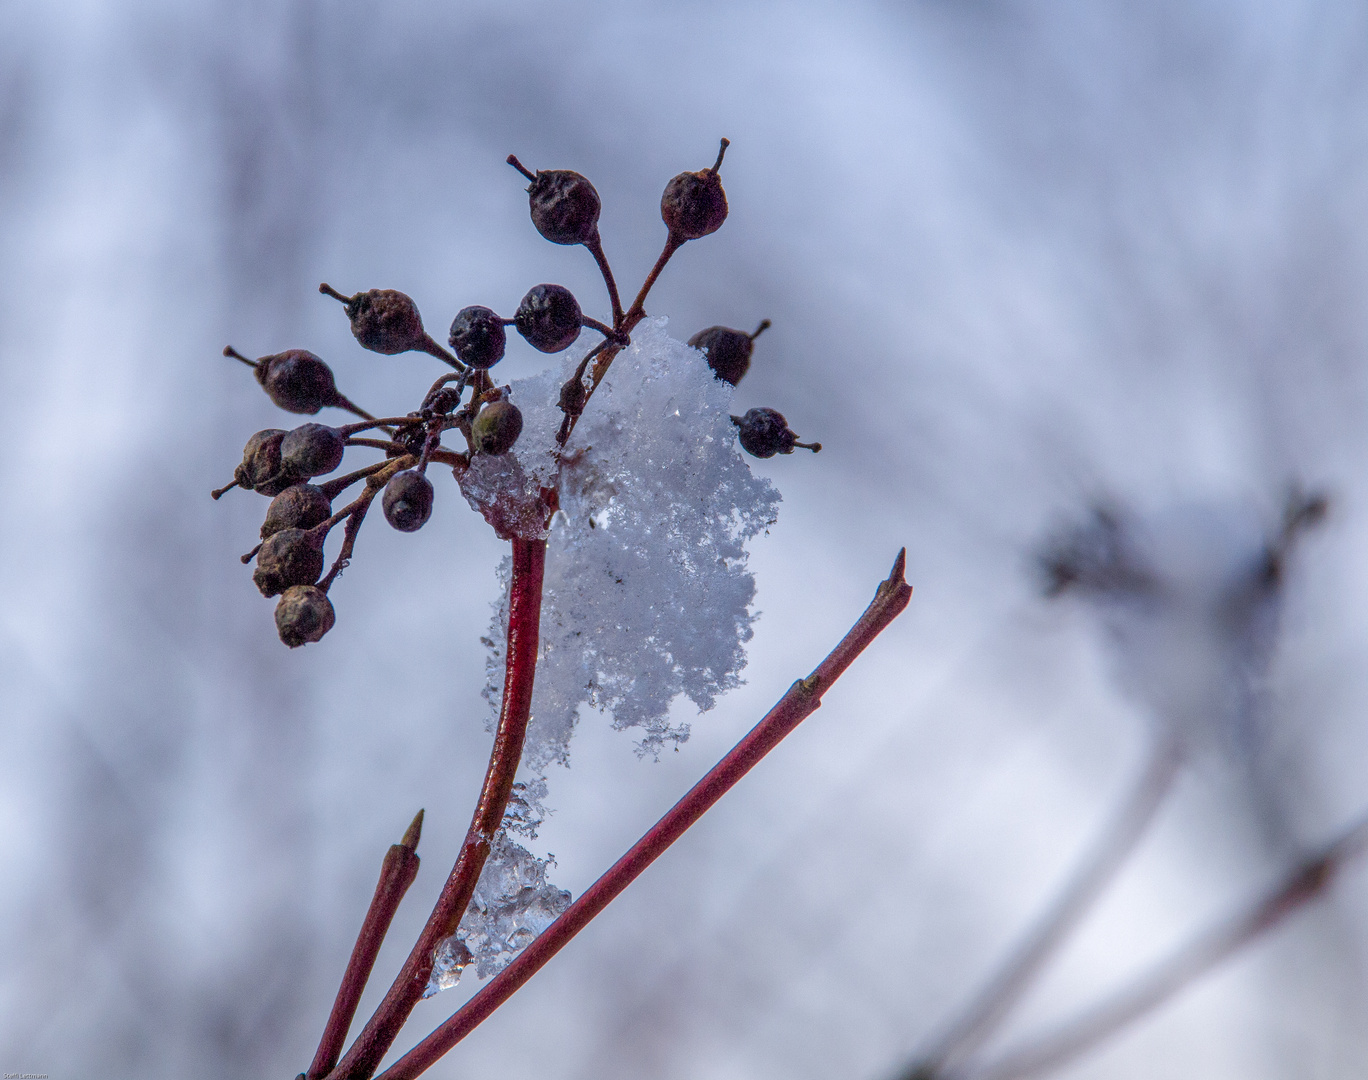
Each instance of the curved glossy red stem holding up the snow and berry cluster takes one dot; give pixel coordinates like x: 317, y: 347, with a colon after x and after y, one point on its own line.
x: 525, y: 622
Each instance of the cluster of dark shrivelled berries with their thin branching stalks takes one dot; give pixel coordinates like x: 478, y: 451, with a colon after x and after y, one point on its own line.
x: 285, y: 465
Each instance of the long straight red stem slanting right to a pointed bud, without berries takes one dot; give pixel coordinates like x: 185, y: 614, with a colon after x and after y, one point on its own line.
x: 798, y: 704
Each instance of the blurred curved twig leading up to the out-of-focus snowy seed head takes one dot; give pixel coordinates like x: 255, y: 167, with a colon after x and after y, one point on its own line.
x: 1109, y: 855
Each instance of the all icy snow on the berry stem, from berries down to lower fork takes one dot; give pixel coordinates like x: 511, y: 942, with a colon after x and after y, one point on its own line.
x: 646, y: 593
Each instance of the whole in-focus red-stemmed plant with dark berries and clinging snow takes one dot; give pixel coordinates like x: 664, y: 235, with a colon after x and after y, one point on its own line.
x: 618, y: 483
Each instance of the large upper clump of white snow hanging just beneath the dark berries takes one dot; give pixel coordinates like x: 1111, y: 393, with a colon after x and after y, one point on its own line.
x: 648, y: 596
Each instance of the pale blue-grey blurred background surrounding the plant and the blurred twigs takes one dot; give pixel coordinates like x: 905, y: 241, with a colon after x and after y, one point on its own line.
x: 1020, y: 259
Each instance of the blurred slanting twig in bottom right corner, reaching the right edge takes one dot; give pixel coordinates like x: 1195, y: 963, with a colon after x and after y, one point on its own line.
x: 1188, y: 964
